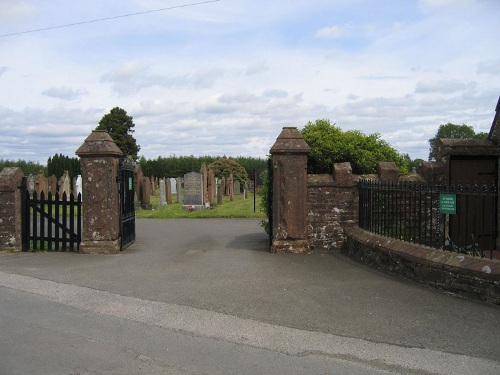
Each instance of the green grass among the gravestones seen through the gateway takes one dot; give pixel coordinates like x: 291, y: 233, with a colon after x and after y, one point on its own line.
x: 238, y: 208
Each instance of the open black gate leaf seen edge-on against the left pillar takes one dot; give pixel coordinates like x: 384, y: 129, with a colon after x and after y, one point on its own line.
x: 127, y: 209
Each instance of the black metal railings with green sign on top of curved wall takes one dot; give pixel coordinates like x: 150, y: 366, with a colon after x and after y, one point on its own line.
x: 460, y: 218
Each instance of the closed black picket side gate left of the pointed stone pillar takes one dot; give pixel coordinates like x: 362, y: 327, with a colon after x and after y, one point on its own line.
x: 50, y: 222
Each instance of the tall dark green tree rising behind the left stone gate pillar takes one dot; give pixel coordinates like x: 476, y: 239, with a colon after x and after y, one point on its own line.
x: 120, y: 126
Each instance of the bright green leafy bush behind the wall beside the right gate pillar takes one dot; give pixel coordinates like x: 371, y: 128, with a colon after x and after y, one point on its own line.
x: 329, y: 144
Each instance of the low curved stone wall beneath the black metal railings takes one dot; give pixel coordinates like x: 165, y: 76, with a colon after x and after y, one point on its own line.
x: 458, y: 273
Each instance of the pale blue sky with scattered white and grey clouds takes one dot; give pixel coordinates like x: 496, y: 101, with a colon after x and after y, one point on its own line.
x: 224, y: 77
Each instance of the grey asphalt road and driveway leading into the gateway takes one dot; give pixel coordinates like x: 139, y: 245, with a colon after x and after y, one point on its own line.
x: 210, y: 287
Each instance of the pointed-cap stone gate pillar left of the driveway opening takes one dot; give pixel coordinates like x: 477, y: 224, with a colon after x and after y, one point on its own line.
x: 99, y: 160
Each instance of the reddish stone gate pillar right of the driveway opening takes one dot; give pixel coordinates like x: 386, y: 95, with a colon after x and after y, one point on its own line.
x: 289, y: 162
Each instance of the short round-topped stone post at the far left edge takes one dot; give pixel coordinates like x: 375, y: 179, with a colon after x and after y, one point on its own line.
x: 10, y: 208
